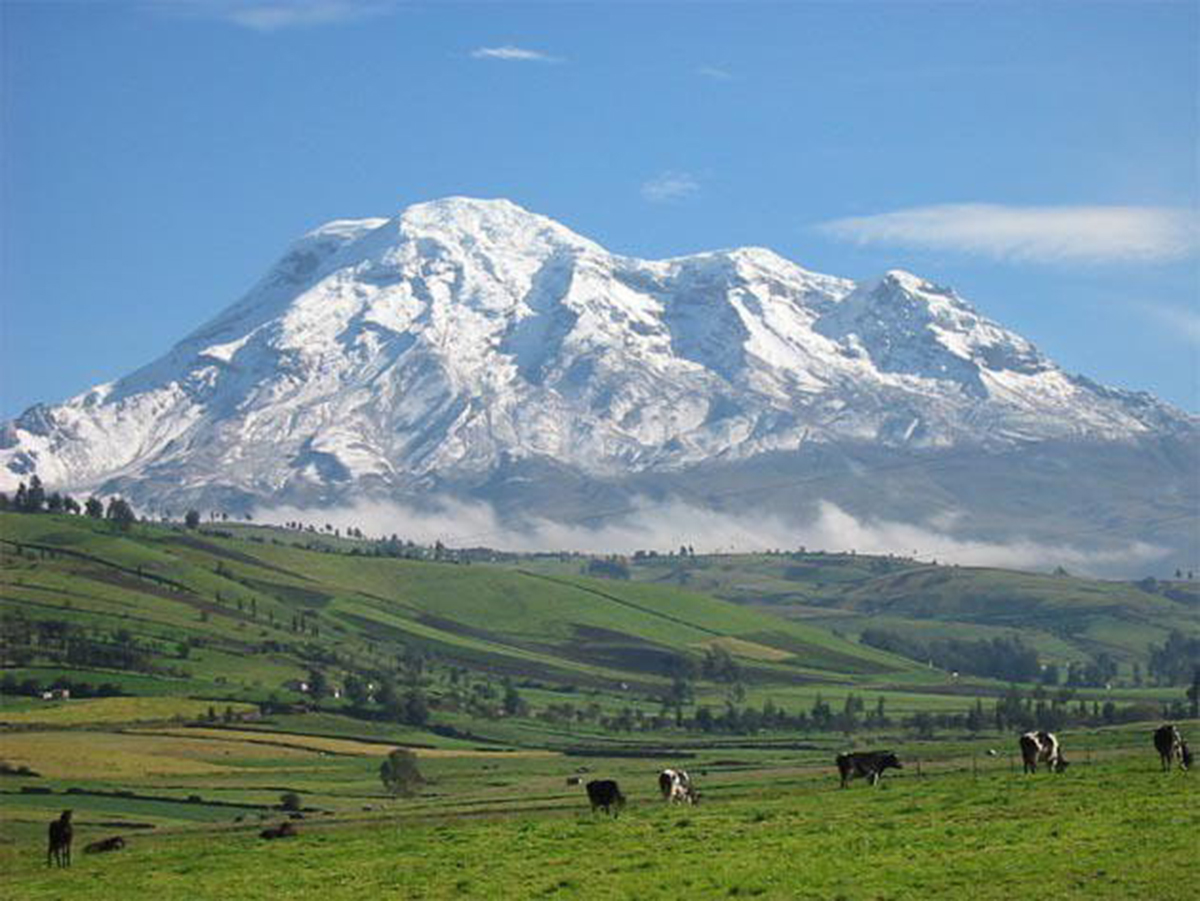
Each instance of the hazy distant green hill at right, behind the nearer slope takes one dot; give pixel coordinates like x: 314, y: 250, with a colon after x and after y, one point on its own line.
x: 1065, y: 617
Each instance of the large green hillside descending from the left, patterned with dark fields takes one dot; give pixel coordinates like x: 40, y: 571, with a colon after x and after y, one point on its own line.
x: 250, y: 615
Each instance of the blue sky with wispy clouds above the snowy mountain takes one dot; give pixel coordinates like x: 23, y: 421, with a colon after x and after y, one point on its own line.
x: 1042, y: 159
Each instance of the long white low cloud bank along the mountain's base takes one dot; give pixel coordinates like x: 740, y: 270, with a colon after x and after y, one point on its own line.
x: 664, y: 527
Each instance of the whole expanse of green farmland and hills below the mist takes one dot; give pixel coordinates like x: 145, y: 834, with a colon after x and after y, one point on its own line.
x: 207, y: 732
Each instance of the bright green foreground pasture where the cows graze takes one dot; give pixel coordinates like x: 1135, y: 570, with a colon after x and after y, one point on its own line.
x: 1112, y: 827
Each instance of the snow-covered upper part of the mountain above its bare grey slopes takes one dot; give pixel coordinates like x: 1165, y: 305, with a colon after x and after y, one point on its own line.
x: 465, y: 338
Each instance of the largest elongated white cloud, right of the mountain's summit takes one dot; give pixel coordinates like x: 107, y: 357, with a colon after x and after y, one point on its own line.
x: 1040, y: 235
